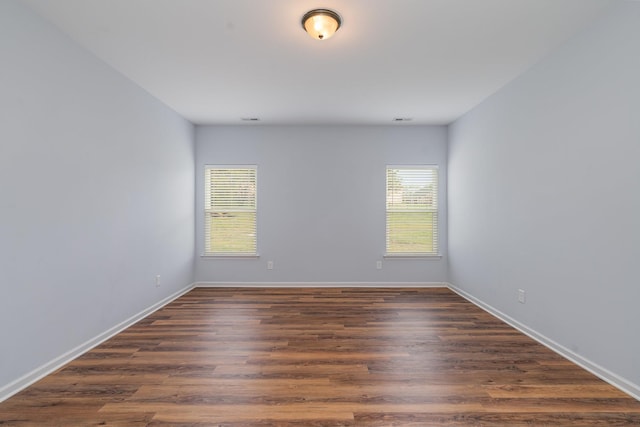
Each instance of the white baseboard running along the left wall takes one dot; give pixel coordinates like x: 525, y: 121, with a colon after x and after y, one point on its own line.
x: 26, y: 380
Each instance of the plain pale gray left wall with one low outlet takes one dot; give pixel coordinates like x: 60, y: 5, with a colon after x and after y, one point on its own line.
x: 96, y: 195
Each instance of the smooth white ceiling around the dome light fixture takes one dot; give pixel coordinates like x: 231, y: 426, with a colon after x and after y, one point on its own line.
x: 217, y: 61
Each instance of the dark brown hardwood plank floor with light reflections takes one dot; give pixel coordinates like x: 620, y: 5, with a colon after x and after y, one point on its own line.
x: 321, y: 357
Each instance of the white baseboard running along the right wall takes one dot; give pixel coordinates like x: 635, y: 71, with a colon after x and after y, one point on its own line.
x: 597, y: 370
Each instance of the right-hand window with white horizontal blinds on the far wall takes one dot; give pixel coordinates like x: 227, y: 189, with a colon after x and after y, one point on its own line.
x: 412, y: 211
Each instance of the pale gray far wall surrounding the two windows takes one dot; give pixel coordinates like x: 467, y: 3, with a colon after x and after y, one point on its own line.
x: 321, y: 200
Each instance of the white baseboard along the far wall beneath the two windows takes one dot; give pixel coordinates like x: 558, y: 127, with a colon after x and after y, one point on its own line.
x: 321, y: 284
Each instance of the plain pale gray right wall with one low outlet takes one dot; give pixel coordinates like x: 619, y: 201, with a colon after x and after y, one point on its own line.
x: 544, y: 196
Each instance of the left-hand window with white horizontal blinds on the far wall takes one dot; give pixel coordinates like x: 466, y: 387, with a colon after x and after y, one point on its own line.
x: 230, y: 210
